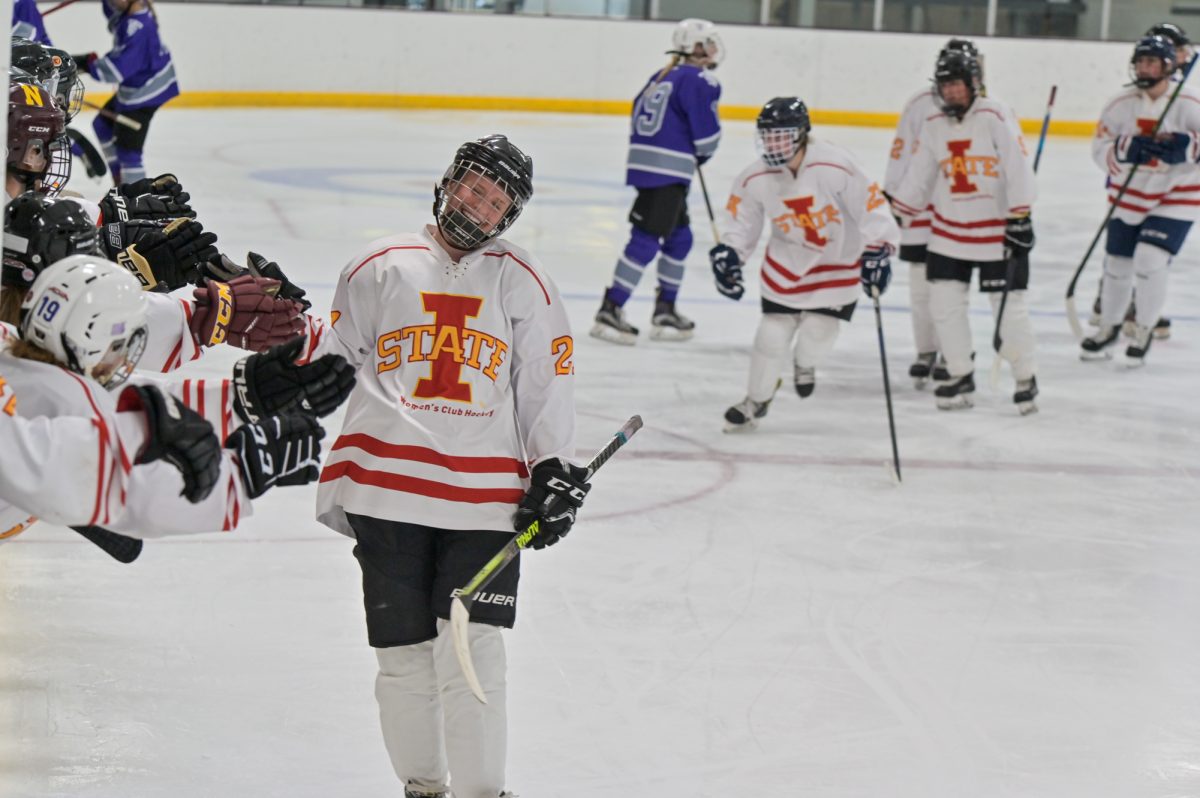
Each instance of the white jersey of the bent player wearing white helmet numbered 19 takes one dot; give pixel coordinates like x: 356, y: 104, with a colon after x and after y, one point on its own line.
x: 73, y: 464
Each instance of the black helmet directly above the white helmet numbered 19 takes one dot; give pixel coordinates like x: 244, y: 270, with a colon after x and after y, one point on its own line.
x: 40, y: 231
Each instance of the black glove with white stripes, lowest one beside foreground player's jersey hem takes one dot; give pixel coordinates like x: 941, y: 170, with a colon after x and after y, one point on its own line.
x: 281, y: 451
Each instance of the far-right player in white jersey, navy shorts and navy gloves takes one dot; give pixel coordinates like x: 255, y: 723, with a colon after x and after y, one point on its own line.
x: 1163, y: 200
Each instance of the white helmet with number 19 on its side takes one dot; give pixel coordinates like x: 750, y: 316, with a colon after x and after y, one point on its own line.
x: 91, y: 315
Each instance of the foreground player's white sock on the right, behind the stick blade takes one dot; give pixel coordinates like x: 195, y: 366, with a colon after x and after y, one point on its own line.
x: 476, y: 734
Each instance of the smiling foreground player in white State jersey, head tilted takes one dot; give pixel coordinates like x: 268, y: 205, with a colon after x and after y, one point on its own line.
x: 461, y: 430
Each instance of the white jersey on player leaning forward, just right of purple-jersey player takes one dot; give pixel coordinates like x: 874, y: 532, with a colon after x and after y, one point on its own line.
x: 821, y: 220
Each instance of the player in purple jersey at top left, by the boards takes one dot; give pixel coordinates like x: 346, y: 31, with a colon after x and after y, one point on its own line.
x: 145, y: 75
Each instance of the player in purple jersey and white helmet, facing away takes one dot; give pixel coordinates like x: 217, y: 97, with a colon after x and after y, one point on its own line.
x: 675, y: 129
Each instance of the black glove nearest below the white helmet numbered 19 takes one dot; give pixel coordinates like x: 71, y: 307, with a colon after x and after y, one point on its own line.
x: 178, y: 435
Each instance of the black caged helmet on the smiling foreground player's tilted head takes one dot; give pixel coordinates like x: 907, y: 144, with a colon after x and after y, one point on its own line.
x: 500, y: 163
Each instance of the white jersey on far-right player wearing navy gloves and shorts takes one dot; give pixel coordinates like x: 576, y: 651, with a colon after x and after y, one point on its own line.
x: 1157, y: 189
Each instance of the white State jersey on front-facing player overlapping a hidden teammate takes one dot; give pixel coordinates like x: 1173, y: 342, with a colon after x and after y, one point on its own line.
x: 975, y: 173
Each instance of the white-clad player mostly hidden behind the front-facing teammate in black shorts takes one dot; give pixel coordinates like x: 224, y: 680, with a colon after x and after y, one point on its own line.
x: 923, y: 106
